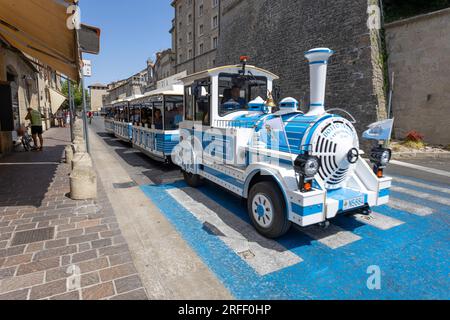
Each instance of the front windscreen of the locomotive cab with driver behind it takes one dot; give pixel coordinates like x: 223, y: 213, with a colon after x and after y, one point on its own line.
x: 236, y: 91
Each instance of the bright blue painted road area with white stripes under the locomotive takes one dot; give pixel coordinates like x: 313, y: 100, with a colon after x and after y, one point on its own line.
x: 410, y: 248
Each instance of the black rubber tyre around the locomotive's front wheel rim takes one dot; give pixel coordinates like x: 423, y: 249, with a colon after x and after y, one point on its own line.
x: 281, y: 224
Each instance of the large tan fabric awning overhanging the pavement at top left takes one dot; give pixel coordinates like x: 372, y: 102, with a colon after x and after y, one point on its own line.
x: 39, y: 29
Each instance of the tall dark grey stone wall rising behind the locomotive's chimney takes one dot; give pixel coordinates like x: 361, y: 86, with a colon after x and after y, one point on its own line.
x: 275, y: 34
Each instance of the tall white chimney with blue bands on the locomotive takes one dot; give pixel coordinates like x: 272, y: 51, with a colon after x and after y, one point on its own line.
x: 318, y: 63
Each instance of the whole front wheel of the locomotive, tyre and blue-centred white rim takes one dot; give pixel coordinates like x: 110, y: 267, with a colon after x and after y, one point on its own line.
x: 267, y: 209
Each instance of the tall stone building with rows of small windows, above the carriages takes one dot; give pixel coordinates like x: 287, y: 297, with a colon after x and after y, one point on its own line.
x: 195, y: 34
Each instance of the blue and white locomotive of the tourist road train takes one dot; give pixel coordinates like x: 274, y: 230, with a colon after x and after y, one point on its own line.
x: 291, y: 167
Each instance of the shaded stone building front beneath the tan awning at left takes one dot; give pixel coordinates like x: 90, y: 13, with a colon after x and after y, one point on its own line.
x: 29, y: 84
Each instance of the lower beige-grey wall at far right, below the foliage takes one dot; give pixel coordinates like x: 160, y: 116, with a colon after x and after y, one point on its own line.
x: 419, y: 55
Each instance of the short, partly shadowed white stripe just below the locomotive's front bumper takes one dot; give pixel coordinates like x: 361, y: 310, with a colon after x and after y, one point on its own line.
x: 333, y: 237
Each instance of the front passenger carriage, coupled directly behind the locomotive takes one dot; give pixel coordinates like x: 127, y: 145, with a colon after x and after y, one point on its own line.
x: 156, y: 117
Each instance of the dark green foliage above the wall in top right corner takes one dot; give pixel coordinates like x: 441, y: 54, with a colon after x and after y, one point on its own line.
x: 402, y: 9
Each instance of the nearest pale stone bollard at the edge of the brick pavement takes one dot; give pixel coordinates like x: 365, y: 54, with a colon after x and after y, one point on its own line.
x: 83, y: 183
